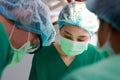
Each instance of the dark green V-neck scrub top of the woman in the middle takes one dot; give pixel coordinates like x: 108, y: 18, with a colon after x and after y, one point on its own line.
x: 48, y: 65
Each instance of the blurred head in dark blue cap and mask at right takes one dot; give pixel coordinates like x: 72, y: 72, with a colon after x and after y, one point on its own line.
x: 109, y: 30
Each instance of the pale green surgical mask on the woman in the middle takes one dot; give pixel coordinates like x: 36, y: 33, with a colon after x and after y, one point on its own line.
x: 72, y: 48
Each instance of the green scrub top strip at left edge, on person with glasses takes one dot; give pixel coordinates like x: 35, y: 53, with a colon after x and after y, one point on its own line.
x: 5, y: 49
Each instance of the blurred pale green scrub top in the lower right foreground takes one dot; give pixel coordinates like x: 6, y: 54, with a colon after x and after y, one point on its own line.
x: 107, y: 69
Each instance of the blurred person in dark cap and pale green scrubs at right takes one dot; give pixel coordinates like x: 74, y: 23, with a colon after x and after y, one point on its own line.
x: 109, y: 38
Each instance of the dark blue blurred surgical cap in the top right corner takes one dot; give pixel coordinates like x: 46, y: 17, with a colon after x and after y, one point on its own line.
x: 107, y: 10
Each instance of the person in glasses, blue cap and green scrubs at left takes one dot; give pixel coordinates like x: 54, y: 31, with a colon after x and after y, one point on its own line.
x: 25, y: 26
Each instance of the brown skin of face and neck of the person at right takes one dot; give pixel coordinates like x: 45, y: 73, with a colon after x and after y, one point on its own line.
x: 103, y: 32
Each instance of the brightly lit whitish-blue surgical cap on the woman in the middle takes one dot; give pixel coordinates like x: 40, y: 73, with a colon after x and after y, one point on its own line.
x: 78, y: 15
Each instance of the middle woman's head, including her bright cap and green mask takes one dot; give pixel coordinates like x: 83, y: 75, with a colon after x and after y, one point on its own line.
x: 77, y: 25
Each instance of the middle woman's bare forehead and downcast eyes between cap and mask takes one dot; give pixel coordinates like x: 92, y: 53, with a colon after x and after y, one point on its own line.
x: 74, y: 33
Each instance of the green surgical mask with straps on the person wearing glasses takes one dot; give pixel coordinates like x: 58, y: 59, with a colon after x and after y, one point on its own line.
x: 20, y: 53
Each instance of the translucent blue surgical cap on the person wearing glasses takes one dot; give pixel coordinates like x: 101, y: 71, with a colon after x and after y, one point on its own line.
x: 30, y: 15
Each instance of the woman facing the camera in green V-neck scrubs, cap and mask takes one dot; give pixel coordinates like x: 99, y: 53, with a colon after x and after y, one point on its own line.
x: 72, y: 51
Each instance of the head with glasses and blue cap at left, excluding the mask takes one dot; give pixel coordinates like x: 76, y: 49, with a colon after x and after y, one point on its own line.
x: 27, y: 21
